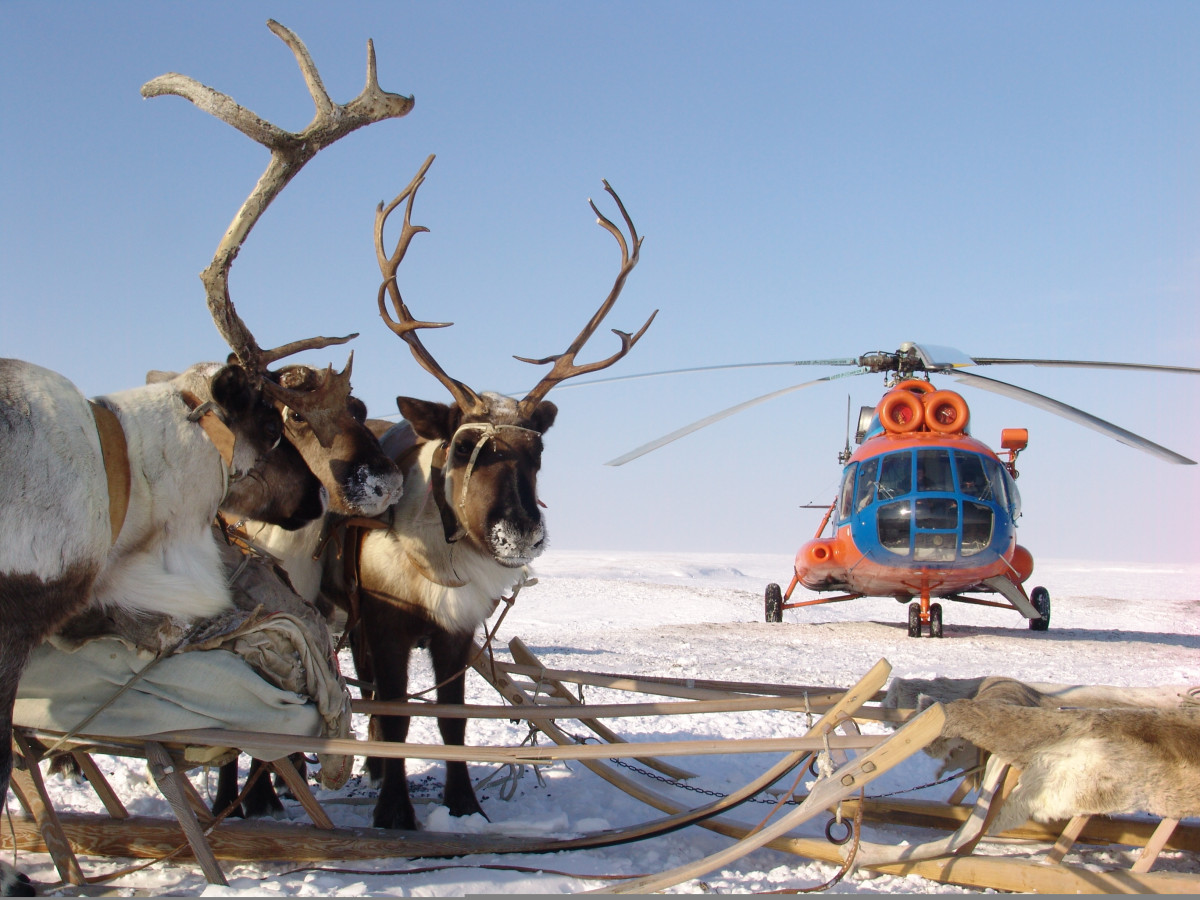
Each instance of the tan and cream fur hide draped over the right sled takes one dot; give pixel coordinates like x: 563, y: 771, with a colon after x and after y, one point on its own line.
x: 1072, y: 760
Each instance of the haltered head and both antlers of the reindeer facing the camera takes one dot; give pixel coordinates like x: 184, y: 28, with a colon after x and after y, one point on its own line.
x: 485, y: 471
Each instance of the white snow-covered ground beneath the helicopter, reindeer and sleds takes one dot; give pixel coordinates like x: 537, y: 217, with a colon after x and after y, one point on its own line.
x: 703, y: 616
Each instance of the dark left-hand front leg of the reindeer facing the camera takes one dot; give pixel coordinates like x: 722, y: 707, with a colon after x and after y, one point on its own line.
x: 389, y: 635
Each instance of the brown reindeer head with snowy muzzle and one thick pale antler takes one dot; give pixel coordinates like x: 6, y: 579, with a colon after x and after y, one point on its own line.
x: 321, y: 419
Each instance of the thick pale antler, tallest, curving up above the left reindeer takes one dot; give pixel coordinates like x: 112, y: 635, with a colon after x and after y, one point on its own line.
x: 290, y: 153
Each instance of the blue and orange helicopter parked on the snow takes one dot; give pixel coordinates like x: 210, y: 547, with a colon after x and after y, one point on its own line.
x: 926, y: 512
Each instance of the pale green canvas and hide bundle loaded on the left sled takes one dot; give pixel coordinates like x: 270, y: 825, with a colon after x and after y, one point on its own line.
x: 278, y: 639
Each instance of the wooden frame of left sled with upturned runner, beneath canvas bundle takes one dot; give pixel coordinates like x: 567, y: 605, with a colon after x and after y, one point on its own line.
x: 195, y: 833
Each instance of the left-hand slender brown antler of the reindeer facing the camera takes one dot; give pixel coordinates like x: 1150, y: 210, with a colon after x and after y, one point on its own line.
x: 404, y: 325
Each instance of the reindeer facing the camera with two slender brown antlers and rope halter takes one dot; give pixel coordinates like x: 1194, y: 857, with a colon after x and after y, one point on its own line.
x: 460, y: 538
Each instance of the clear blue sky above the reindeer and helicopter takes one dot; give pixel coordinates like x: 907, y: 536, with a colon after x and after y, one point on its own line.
x: 1017, y: 179
